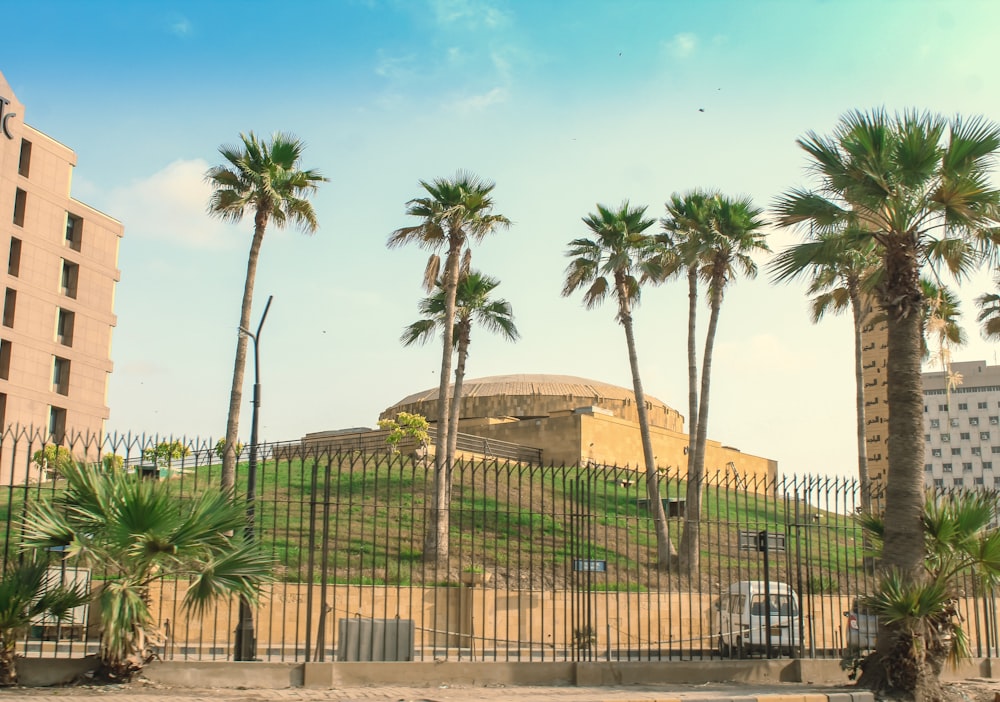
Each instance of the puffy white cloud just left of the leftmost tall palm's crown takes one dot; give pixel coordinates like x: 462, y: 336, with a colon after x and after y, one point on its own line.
x: 170, y: 205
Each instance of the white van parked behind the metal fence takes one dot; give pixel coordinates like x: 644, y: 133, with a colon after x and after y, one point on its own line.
x: 750, y: 613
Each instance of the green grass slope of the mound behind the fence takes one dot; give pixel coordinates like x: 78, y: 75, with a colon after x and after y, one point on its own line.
x: 364, y: 520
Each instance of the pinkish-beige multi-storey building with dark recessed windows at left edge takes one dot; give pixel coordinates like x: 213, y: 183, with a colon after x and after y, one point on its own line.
x: 59, y: 289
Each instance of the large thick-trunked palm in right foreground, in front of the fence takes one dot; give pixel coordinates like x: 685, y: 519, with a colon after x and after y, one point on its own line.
x: 917, y: 186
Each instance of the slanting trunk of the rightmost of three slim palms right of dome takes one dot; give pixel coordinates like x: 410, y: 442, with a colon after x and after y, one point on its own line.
x: 690, y: 553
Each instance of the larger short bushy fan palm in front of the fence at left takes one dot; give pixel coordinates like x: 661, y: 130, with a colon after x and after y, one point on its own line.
x: 140, y: 531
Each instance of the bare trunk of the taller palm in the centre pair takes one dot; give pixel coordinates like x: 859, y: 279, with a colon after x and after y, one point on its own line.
x: 436, y: 537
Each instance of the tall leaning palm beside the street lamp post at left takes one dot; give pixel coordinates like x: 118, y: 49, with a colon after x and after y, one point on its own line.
x: 265, y: 179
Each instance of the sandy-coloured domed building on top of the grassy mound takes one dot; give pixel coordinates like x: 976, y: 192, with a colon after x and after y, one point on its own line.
x: 576, y: 421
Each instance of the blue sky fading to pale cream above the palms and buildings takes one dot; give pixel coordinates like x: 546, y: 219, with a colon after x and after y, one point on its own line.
x: 562, y: 104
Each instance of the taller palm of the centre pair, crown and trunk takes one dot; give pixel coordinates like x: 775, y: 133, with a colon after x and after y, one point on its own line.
x: 454, y: 213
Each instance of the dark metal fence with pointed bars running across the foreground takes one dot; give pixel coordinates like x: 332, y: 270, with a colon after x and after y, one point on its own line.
x: 546, y: 562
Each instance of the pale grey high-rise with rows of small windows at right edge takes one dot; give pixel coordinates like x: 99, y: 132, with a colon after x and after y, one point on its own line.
x: 962, y: 427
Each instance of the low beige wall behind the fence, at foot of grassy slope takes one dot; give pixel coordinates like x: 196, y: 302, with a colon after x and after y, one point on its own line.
x: 484, y: 617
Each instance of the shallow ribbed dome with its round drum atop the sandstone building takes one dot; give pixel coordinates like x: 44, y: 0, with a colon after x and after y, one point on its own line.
x: 533, y: 396
